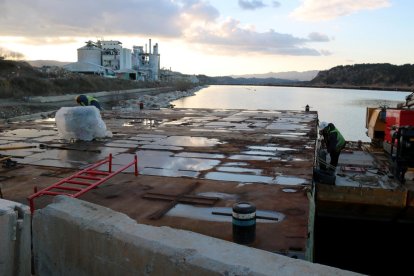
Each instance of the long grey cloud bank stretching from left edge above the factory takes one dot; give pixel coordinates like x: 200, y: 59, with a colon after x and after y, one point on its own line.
x: 194, y: 21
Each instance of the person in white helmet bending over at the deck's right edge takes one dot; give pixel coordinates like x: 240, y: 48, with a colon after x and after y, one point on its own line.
x: 333, y: 140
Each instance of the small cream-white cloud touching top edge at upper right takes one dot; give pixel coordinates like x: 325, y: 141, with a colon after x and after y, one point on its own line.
x: 316, y: 10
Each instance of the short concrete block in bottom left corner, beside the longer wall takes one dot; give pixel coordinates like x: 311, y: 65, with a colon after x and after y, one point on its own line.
x: 15, y: 244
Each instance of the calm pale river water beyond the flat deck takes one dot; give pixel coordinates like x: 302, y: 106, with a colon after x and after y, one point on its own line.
x: 345, y: 108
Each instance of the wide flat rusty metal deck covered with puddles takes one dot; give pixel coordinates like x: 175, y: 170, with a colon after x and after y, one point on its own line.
x: 220, y: 157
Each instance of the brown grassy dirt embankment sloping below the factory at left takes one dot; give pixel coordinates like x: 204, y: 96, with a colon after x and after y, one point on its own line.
x: 19, y: 82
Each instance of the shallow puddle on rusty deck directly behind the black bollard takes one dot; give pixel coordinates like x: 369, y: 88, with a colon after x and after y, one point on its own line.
x: 206, y: 213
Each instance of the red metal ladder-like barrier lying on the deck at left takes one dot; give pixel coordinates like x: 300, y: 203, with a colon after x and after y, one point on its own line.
x: 93, y: 178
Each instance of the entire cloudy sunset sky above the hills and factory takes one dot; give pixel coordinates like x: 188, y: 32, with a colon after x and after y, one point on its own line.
x: 217, y: 37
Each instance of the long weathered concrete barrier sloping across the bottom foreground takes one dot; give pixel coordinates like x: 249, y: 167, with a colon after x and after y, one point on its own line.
x: 73, y: 237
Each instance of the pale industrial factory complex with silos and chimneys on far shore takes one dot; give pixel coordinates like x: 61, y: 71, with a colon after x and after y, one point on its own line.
x: 108, y: 58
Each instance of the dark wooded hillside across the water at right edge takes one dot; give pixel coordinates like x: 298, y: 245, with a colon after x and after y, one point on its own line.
x: 382, y: 75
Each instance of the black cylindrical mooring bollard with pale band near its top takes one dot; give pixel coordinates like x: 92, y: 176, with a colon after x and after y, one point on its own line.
x: 244, y: 223
